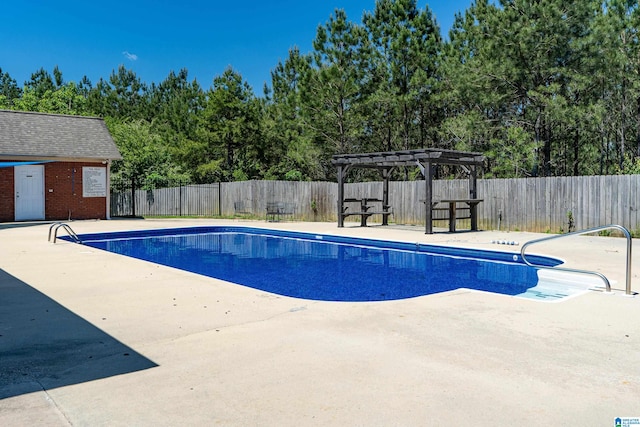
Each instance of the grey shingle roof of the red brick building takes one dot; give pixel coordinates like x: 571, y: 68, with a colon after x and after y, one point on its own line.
x: 52, y: 136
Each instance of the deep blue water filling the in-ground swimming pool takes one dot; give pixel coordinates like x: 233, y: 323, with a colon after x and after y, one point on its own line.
x: 324, y: 267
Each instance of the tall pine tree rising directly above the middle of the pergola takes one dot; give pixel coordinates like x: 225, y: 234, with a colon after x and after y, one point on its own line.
x: 404, y: 73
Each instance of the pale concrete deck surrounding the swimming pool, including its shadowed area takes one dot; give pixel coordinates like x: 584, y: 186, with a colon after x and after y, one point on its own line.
x: 94, y: 338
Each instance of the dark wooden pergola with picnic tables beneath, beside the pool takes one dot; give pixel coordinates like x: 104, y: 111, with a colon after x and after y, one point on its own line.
x: 426, y: 159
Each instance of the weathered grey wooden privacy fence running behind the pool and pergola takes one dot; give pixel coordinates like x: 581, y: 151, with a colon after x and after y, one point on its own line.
x: 555, y: 204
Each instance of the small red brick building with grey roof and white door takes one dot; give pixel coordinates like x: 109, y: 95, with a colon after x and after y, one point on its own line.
x: 54, y: 167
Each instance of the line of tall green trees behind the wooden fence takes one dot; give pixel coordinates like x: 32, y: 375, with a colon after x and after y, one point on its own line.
x: 541, y: 87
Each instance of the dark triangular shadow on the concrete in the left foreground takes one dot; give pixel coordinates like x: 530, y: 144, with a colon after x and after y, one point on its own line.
x: 43, y: 345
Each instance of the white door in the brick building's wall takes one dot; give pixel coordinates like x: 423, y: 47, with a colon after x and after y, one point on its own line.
x: 29, y: 192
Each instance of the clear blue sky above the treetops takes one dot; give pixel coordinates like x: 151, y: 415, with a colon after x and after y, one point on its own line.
x: 153, y: 37
